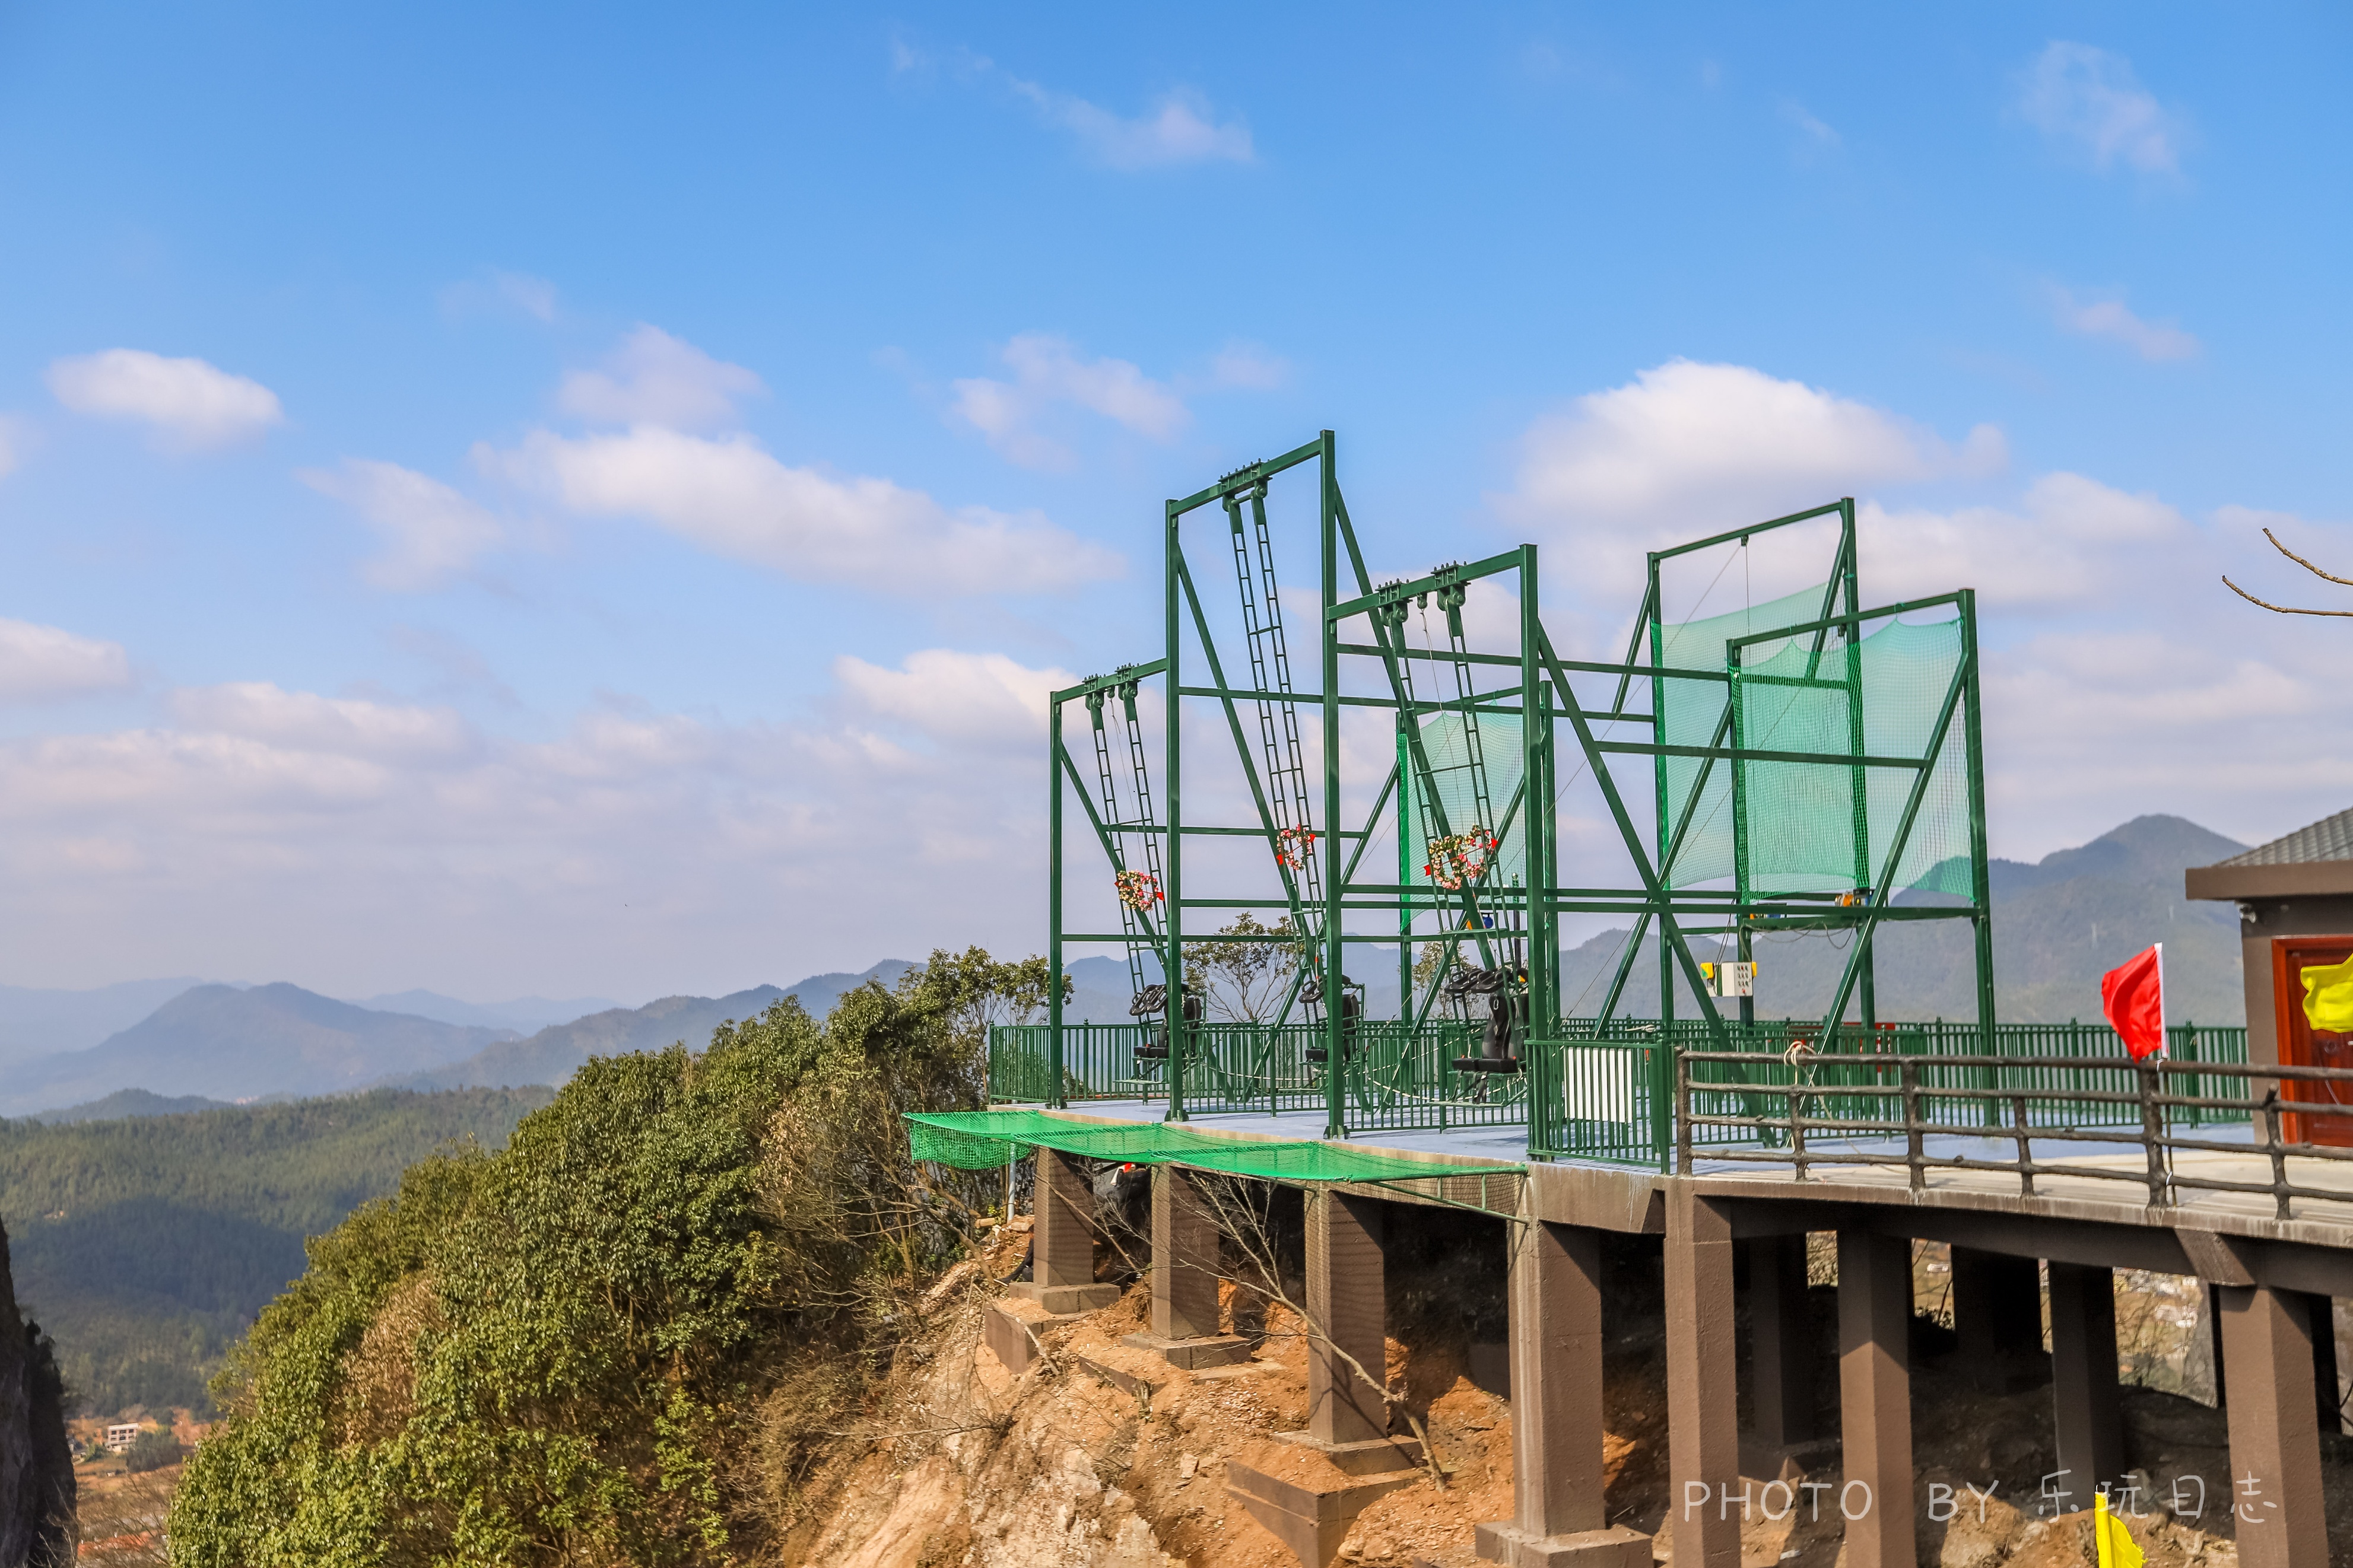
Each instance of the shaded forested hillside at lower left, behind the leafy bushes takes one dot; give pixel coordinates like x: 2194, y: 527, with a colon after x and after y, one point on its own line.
x: 149, y: 1245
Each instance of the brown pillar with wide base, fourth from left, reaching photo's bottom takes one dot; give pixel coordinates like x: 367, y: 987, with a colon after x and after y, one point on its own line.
x: 1557, y: 1409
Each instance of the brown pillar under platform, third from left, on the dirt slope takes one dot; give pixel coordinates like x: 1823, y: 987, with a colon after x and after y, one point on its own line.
x: 1347, y: 1282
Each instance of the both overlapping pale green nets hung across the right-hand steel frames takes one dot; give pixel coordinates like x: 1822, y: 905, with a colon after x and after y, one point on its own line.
x: 1815, y: 826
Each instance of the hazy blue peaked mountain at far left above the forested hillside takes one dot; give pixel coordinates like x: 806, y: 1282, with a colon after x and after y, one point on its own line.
x: 239, y: 1045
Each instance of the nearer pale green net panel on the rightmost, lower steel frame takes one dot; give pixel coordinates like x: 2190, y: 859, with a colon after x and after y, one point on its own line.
x: 1820, y: 829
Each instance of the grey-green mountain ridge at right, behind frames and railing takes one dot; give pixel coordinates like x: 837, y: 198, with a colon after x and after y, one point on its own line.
x: 2058, y: 927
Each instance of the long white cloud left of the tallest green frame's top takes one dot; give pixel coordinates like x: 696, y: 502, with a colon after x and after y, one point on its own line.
x: 735, y: 500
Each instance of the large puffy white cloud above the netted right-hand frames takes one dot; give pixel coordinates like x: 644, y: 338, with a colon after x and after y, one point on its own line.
x: 1688, y: 450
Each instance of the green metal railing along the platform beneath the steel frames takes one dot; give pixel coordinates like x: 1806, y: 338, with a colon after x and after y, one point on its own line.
x: 1608, y: 1092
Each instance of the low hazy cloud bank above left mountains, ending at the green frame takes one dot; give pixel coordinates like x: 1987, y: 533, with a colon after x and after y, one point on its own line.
x: 342, y: 840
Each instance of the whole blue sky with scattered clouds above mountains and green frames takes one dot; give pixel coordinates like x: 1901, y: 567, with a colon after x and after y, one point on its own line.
x: 639, y: 469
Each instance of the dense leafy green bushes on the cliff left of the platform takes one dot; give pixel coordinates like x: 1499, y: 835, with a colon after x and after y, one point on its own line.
x: 575, y: 1351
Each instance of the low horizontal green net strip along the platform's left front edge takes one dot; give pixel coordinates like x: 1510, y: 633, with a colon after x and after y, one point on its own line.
x: 987, y: 1139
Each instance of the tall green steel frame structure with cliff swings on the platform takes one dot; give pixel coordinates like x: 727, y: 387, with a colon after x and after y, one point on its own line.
x: 1364, y: 629
